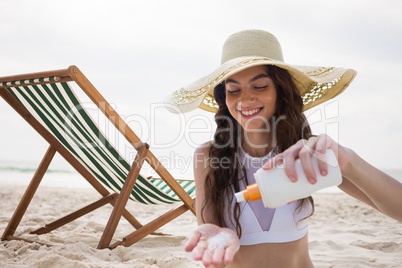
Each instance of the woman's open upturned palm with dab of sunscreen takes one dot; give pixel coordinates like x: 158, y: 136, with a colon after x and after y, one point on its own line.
x: 213, y: 245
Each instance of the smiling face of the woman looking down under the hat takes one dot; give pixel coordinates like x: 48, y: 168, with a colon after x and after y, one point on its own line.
x: 251, y: 97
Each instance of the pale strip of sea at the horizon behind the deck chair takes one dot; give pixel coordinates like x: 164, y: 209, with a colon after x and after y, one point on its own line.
x: 19, y: 173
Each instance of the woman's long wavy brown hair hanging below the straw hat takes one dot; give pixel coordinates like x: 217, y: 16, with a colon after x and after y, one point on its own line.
x: 227, y: 170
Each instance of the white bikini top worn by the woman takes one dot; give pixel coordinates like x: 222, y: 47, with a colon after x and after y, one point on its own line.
x: 266, y: 225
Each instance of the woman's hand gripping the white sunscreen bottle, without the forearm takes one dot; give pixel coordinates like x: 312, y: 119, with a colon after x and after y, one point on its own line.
x: 305, y: 150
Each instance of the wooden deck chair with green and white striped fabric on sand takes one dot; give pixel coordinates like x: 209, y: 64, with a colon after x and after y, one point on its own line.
x: 46, y: 100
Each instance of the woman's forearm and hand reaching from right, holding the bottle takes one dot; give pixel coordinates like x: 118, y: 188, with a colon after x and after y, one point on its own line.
x: 360, y: 179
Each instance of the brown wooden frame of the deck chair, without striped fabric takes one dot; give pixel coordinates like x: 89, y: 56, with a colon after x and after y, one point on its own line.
x: 117, y: 200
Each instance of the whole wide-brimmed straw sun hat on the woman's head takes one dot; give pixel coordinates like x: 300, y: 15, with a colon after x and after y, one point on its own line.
x: 255, y: 47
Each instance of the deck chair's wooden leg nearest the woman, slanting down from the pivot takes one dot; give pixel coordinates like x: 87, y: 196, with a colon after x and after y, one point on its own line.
x: 121, y: 201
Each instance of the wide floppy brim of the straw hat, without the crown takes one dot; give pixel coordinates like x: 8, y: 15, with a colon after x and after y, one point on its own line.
x: 315, y: 84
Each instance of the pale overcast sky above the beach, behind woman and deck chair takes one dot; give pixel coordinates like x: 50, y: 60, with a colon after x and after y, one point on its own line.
x: 137, y: 52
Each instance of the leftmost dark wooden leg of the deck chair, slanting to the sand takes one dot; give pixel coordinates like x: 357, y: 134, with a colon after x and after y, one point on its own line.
x: 29, y: 194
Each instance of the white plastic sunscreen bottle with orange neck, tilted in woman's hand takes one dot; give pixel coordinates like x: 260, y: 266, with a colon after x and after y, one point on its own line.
x: 275, y: 189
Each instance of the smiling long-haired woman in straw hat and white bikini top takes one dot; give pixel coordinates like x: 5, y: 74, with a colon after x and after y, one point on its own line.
x: 259, y: 102
